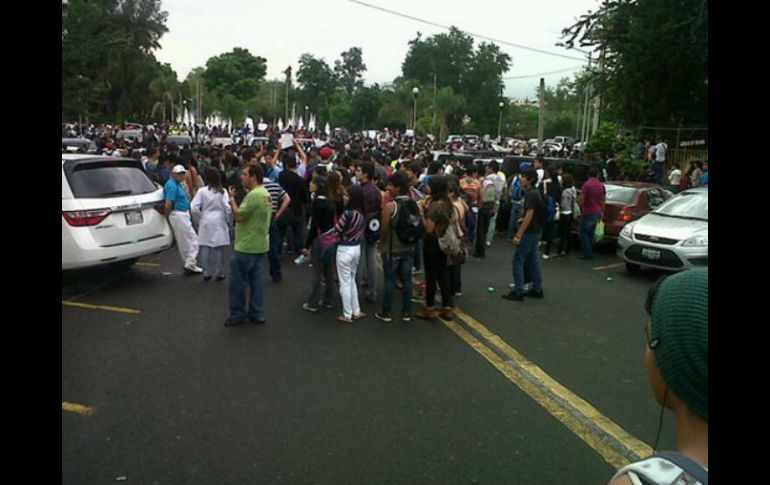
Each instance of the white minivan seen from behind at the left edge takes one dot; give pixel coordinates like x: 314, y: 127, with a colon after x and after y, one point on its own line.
x: 111, y: 212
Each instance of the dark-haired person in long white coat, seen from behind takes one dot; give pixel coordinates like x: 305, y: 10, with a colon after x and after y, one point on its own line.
x: 211, y: 207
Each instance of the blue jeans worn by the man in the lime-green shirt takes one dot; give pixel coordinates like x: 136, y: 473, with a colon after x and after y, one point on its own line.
x: 247, y: 271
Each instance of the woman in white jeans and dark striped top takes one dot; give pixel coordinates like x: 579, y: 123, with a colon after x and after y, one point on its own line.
x: 350, y: 231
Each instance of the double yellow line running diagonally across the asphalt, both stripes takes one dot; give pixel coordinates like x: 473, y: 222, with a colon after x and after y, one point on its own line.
x: 610, y: 441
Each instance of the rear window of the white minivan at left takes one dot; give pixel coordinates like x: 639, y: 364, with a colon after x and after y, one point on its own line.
x: 107, y: 178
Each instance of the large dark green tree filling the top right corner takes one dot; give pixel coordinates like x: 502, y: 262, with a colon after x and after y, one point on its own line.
x: 655, y: 56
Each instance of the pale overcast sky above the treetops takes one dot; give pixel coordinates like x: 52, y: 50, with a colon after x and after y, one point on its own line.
x: 282, y: 30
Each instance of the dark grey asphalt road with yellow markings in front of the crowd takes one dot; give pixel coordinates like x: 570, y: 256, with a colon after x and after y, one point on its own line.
x: 175, y: 397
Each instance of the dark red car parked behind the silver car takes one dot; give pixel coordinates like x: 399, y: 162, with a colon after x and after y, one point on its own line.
x: 626, y: 202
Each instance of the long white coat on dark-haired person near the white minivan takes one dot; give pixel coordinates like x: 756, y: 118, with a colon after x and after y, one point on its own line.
x: 212, y: 210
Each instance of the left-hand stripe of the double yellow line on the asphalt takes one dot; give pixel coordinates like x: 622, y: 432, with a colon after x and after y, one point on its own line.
x: 571, y: 422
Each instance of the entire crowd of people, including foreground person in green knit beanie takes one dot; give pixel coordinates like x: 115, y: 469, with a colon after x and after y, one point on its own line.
x: 337, y: 203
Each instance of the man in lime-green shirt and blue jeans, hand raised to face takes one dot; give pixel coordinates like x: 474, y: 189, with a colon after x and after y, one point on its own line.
x: 252, y: 228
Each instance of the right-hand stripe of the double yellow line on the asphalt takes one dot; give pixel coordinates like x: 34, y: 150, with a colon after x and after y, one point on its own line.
x: 631, y: 443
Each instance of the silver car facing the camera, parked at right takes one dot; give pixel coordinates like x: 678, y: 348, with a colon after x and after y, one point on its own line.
x: 674, y: 237
